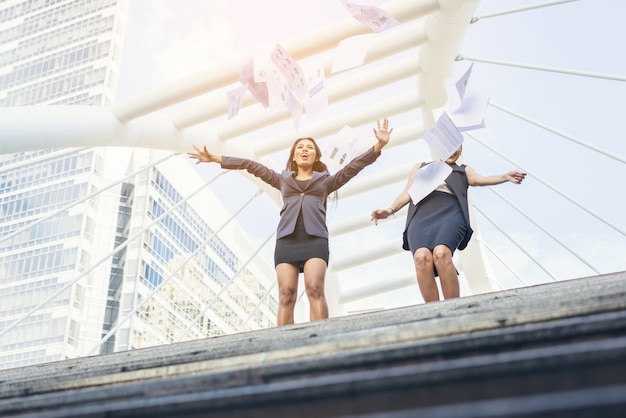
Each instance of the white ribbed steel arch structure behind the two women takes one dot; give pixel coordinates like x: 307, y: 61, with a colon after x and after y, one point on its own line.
x: 423, y: 50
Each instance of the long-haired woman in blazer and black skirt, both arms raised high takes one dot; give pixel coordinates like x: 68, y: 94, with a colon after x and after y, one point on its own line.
x: 302, y: 234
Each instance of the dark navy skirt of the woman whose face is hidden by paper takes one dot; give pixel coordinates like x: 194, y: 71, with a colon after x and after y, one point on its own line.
x: 438, y: 220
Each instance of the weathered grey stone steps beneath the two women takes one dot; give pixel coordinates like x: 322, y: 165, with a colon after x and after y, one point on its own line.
x: 551, y: 350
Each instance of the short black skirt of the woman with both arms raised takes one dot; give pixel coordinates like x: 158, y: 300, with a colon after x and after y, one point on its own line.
x: 298, y: 247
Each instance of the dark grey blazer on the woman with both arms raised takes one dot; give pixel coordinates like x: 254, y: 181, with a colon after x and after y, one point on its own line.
x: 311, y: 200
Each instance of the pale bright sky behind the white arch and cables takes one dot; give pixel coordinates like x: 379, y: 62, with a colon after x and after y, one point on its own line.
x: 166, y: 42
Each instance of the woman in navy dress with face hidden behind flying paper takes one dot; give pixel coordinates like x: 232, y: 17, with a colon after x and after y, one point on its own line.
x: 439, y: 224
